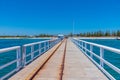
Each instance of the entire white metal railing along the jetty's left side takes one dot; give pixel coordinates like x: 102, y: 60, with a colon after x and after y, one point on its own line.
x: 21, y: 56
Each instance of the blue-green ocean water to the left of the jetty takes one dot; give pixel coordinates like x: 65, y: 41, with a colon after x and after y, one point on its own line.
x: 11, y: 55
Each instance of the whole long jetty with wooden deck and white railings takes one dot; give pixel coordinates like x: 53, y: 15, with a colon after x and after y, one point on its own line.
x: 59, y: 59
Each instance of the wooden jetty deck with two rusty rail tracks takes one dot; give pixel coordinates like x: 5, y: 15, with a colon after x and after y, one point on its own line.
x: 62, y: 62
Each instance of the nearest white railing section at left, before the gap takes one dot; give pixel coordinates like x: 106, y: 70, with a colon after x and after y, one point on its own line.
x: 17, y: 60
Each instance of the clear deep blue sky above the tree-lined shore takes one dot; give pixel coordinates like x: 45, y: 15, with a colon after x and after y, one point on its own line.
x: 56, y: 16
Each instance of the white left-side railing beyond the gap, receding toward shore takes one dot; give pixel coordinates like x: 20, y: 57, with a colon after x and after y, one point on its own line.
x: 43, y: 46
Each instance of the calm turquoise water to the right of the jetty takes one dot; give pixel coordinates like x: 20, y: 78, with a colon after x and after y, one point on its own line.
x: 111, y: 57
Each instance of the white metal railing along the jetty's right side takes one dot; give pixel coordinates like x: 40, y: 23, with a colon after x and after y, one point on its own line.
x: 83, y: 47
